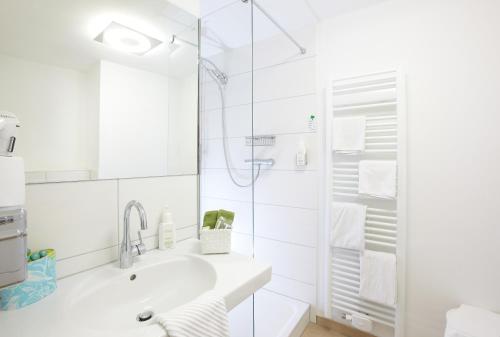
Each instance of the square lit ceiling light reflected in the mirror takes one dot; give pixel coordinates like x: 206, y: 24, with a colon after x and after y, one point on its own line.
x: 126, y: 39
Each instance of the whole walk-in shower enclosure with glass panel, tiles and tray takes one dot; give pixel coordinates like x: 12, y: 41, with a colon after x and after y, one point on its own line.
x: 253, y: 113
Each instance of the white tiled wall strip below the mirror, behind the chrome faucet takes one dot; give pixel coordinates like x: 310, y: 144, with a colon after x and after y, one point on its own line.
x: 82, y: 220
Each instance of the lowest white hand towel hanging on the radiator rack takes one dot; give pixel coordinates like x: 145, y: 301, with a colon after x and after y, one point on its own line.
x: 378, y: 277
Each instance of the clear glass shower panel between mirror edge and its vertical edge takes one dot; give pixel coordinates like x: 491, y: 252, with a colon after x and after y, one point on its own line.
x: 226, y: 130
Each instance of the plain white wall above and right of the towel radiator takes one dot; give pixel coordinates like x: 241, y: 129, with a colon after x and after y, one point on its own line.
x: 450, y: 53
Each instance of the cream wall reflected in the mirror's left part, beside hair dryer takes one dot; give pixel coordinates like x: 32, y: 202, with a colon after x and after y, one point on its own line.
x: 44, y: 96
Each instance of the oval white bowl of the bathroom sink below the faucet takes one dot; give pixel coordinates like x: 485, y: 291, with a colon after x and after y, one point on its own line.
x: 149, y: 289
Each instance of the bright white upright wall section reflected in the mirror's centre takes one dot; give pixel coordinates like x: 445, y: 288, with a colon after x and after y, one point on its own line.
x: 133, y: 122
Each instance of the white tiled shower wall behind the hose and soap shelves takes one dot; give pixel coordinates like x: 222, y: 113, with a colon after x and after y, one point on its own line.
x: 285, y: 197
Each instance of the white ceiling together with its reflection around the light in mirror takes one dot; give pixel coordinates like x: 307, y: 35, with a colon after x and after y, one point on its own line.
x: 61, y: 32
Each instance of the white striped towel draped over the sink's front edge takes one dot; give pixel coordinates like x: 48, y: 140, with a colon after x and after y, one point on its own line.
x: 206, y: 316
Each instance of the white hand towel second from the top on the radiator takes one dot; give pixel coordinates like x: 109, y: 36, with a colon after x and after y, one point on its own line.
x: 377, y: 178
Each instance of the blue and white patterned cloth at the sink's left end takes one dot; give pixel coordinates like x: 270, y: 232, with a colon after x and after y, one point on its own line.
x: 41, y: 282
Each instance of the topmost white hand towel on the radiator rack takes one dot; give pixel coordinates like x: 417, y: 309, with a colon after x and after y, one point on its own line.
x: 349, y: 134
